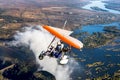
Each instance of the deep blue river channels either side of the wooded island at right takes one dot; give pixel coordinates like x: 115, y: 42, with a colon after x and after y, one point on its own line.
x: 106, y: 54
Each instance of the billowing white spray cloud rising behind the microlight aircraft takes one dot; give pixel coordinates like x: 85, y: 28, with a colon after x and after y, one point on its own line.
x: 38, y: 39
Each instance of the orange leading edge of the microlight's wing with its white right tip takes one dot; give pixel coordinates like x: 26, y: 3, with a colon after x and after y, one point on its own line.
x: 65, y: 38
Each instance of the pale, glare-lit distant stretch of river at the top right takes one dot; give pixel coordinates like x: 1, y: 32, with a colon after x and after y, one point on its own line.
x: 99, y: 5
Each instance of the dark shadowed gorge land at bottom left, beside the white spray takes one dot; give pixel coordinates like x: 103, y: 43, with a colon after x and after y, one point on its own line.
x: 18, y: 65
